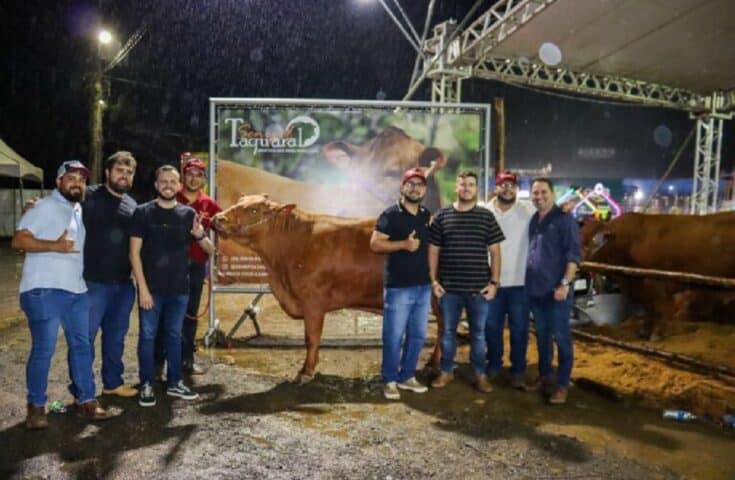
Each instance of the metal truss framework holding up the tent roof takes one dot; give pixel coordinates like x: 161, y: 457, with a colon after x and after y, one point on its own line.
x: 453, y: 54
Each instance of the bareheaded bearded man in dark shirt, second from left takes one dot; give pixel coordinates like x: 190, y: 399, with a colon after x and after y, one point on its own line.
x: 107, y: 211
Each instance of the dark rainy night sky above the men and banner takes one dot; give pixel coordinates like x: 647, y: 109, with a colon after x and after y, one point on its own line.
x: 340, y: 49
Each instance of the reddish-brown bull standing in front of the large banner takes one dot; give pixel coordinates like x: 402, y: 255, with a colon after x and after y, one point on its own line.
x: 317, y: 263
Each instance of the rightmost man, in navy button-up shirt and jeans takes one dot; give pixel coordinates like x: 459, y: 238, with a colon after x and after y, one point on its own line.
x: 553, y: 257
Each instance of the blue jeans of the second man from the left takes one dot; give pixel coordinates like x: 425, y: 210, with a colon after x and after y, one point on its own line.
x: 110, y: 306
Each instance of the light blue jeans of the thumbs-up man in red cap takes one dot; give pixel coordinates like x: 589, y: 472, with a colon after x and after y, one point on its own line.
x: 405, y: 316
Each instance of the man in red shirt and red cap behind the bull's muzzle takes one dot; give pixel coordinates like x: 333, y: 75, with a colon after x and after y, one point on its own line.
x: 192, y: 195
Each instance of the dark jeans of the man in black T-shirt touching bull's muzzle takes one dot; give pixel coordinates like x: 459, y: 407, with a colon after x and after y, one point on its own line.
x: 167, y: 313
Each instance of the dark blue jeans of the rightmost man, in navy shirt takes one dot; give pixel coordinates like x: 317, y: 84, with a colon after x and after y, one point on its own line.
x: 552, y: 326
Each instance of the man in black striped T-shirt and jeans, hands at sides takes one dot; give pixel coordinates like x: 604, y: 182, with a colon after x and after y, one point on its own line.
x: 461, y: 237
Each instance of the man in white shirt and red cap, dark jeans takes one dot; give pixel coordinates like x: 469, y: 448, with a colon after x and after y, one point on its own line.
x: 513, y: 217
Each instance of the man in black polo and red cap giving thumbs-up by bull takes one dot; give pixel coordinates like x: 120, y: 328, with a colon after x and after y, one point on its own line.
x: 402, y: 231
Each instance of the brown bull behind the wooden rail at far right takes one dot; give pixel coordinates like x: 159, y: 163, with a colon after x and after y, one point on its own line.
x: 685, y: 243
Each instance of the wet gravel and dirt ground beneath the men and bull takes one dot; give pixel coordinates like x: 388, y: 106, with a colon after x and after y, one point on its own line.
x: 252, y: 421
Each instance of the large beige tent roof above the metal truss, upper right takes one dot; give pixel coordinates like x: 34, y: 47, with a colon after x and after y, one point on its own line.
x: 680, y: 43
